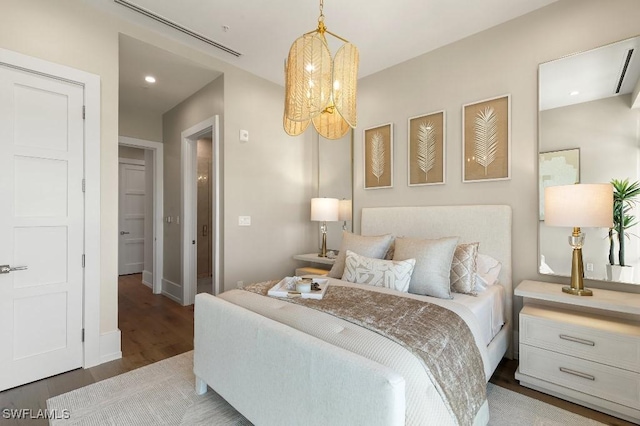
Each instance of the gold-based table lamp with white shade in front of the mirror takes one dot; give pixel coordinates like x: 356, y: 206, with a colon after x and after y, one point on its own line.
x: 578, y: 206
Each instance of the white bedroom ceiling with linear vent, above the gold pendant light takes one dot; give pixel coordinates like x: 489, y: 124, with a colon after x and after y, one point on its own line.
x: 386, y: 32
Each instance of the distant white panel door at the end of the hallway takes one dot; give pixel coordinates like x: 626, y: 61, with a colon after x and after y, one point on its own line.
x: 131, y: 218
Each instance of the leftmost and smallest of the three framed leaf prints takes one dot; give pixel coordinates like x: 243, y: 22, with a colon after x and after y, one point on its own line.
x: 378, y: 157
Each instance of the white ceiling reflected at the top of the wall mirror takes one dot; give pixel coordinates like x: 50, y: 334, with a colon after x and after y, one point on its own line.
x: 590, y: 76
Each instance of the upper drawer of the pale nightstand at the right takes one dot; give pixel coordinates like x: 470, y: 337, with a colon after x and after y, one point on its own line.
x: 606, y: 340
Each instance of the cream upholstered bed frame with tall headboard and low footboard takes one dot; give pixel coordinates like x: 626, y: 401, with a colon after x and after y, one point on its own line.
x: 240, y: 353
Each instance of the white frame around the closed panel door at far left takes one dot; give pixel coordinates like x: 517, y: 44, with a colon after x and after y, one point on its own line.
x: 92, y: 231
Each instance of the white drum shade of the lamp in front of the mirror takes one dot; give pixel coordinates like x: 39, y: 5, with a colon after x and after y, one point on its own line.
x: 580, y: 205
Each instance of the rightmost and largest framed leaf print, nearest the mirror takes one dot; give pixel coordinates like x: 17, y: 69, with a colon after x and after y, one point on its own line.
x: 486, y: 140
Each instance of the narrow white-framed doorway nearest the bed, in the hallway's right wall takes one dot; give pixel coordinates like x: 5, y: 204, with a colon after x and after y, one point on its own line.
x: 190, y: 227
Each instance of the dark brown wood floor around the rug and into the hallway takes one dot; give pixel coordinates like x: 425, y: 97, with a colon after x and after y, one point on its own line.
x: 154, y: 328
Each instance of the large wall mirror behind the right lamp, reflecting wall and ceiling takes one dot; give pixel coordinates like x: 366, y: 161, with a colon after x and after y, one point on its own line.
x: 589, y: 125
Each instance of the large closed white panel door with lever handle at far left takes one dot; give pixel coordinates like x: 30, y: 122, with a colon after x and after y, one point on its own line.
x: 41, y: 226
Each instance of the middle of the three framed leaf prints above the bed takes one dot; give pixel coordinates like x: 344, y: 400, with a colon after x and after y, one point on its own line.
x: 426, y: 152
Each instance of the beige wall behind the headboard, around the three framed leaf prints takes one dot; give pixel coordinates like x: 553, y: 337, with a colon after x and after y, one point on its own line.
x: 501, y: 60
